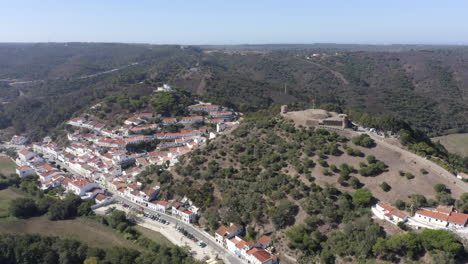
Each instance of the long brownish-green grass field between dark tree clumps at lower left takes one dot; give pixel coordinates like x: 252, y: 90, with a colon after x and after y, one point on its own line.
x: 85, y: 230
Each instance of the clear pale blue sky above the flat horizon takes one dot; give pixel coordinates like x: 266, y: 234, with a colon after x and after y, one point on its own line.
x: 235, y: 21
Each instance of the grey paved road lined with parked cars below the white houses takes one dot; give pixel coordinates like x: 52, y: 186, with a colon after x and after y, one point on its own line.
x: 201, y: 235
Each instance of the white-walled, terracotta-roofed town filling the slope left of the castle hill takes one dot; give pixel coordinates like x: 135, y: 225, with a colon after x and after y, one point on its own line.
x: 102, y: 163
